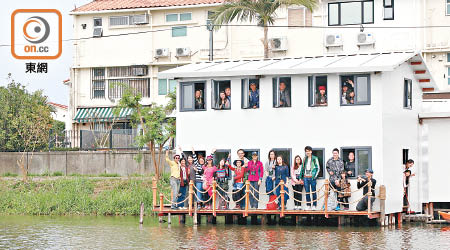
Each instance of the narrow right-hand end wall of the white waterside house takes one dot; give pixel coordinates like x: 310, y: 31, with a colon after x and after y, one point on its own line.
x: 400, y: 131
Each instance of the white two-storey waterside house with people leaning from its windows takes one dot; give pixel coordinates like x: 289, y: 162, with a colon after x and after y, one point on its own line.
x: 381, y: 126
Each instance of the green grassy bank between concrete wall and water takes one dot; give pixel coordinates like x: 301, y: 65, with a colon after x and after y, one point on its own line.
x: 79, y: 195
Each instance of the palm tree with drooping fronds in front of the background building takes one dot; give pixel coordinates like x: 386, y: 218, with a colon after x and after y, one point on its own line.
x: 263, y: 11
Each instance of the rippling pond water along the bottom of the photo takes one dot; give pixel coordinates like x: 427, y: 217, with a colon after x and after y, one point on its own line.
x: 91, y: 232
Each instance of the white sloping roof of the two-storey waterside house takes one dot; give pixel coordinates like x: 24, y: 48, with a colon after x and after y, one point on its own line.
x: 355, y: 63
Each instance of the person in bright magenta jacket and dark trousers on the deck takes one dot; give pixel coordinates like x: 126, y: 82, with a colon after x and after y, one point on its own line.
x: 256, y: 172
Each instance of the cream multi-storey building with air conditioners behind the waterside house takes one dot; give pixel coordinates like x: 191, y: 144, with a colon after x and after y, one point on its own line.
x: 131, y: 41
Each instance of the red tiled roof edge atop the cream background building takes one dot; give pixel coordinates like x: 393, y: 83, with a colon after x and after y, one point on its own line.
x: 98, y: 5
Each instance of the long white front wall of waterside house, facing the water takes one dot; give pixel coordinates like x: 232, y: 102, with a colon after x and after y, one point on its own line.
x: 296, y: 127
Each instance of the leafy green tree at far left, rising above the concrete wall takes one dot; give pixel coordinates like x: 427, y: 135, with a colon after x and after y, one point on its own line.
x: 25, y: 121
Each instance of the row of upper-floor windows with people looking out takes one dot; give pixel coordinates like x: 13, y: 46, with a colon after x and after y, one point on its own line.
x: 354, y: 90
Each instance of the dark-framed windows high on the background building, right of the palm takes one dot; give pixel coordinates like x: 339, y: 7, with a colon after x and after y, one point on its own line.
x: 357, y: 12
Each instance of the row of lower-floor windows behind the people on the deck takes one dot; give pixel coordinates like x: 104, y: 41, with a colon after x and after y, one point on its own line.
x: 357, y: 158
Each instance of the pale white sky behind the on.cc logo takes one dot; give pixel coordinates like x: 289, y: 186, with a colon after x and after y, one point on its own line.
x: 58, y: 69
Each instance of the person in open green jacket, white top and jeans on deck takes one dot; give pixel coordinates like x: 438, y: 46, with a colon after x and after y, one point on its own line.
x: 309, y: 173
